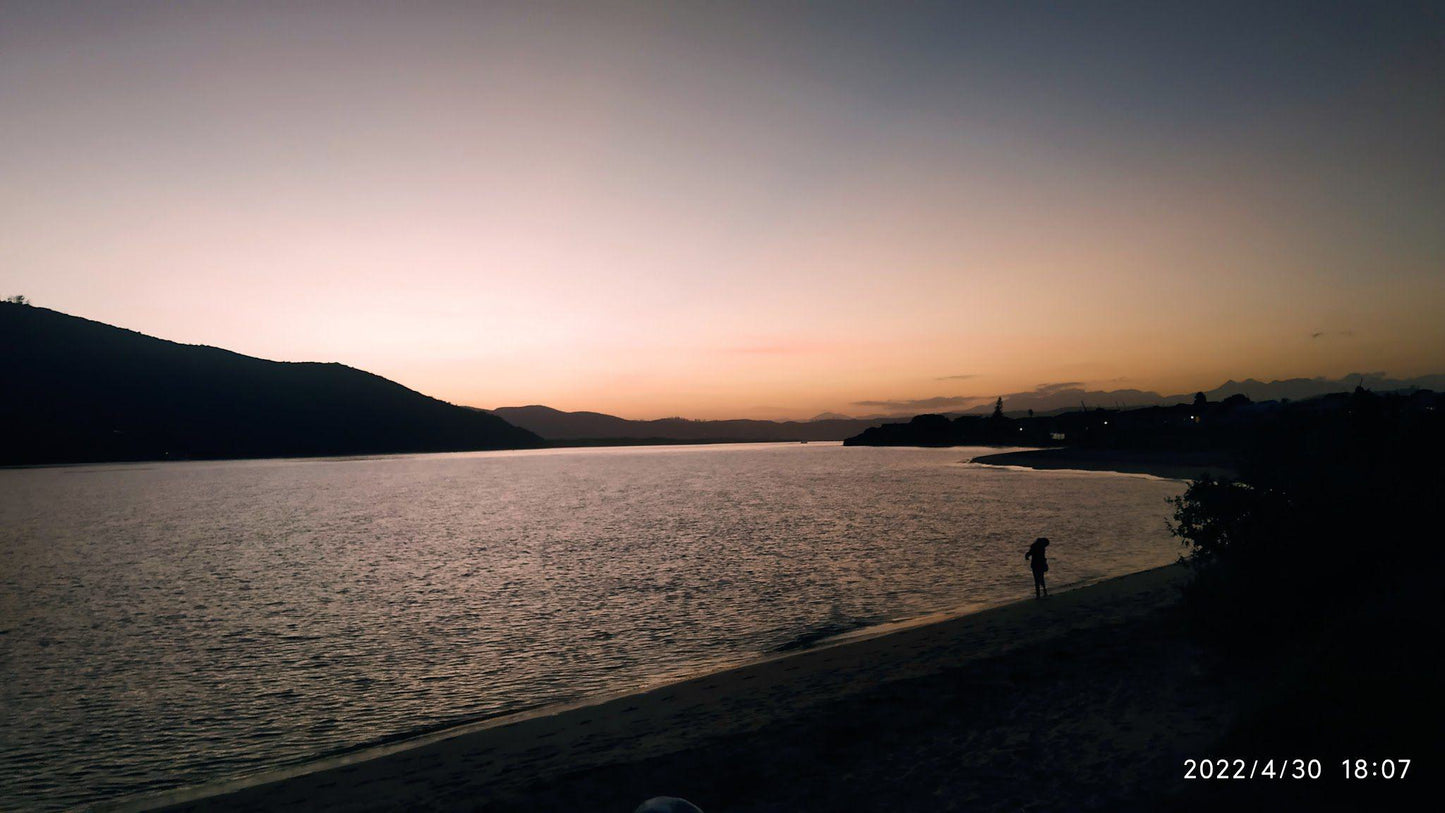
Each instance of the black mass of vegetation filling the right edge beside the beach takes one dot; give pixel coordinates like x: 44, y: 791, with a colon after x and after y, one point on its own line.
x: 1319, y: 577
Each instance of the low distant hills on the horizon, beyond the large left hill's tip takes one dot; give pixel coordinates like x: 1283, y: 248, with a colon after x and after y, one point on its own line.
x: 557, y: 425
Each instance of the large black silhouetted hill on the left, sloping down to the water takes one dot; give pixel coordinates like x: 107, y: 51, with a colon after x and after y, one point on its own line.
x: 79, y: 391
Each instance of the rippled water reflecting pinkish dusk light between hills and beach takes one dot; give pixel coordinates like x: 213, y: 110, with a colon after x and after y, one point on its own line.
x: 167, y: 625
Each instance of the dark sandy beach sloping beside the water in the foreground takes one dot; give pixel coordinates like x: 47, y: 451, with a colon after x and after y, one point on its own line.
x: 1089, y: 700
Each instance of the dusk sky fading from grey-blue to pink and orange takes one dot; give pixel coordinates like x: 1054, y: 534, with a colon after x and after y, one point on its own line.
x: 739, y: 210
